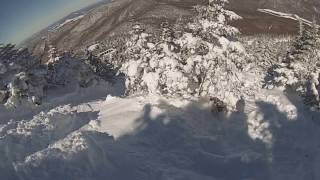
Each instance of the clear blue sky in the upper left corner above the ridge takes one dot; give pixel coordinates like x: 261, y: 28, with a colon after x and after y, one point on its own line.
x: 19, y: 19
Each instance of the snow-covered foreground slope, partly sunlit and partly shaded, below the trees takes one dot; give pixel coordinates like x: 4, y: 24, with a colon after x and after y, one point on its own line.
x: 92, y: 134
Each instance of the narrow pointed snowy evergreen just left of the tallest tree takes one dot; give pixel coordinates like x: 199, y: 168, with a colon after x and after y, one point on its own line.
x: 165, y: 73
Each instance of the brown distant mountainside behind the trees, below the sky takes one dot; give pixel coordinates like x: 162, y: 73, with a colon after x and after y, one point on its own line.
x: 106, y: 20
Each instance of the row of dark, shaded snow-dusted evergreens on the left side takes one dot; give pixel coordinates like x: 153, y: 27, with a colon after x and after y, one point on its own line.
x: 24, y: 80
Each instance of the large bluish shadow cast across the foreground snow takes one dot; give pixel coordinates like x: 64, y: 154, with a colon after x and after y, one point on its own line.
x: 193, y: 143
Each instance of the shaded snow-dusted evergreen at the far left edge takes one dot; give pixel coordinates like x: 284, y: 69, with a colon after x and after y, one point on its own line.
x: 22, y: 77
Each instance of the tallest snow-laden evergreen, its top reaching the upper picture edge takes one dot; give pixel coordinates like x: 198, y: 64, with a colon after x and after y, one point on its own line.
x: 214, y: 59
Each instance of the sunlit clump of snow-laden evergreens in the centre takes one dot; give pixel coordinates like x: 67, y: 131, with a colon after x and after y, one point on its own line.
x: 207, y: 60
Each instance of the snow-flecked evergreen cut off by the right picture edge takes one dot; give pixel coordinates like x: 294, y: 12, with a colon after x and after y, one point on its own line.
x: 301, y: 67
